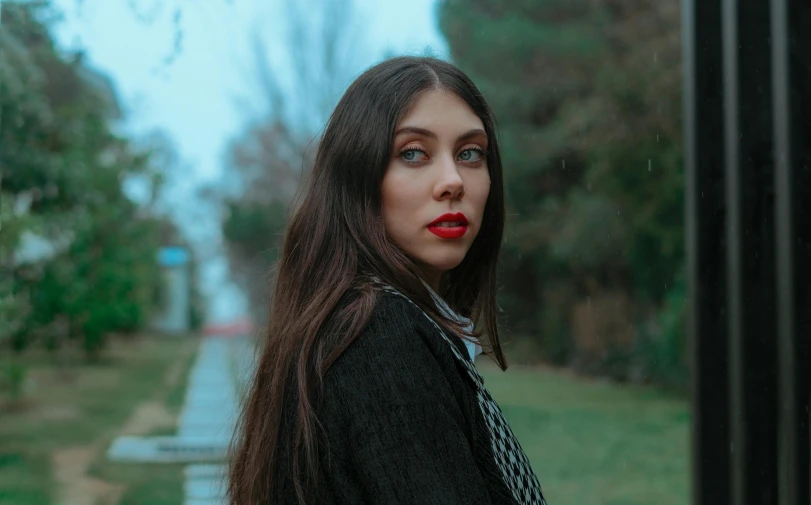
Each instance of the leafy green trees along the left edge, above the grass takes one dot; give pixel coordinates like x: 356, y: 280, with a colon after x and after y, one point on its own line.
x: 62, y: 169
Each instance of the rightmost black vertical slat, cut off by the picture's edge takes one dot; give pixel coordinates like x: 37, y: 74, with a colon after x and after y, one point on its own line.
x: 792, y: 118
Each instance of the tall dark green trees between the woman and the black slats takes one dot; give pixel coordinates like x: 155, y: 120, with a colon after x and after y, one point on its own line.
x: 588, y: 100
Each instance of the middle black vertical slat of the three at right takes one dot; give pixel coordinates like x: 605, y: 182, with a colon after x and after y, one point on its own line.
x: 749, y: 144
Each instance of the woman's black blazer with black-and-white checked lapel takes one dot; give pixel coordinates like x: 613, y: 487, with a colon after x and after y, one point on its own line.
x: 408, y: 421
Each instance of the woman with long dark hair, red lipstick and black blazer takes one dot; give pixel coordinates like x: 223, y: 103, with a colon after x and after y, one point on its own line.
x: 366, y: 391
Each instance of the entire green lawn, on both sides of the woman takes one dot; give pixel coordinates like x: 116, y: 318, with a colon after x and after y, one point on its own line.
x: 590, y: 442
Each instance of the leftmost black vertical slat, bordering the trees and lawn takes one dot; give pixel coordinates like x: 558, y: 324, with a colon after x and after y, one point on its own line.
x: 706, y: 250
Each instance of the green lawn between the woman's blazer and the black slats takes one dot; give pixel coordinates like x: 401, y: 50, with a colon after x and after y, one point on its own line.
x: 593, y: 442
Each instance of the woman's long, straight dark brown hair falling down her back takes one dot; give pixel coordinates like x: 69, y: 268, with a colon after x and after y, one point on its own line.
x: 334, y: 245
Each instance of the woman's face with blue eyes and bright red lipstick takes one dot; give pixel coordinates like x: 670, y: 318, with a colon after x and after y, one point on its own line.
x: 437, y: 182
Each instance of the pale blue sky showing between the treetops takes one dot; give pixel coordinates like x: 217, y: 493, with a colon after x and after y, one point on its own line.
x: 193, y: 99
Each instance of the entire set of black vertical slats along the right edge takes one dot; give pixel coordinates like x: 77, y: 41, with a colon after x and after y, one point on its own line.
x: 747, y: 90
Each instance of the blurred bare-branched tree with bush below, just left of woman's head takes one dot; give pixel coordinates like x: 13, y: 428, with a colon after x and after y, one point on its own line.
x: 276, y: 149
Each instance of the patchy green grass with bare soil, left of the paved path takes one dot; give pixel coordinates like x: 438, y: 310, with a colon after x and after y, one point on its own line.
x: 72, y: 414
